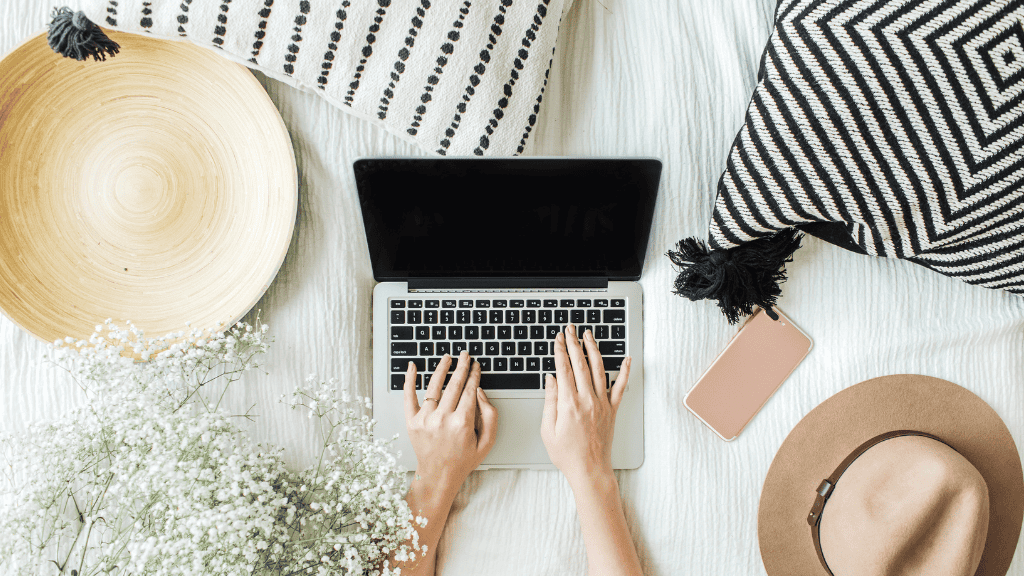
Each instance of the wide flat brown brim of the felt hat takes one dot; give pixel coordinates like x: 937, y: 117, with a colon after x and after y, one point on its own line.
x: 838, y: 426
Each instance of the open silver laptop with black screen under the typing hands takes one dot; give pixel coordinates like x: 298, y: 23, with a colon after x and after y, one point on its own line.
x: 496, y: 257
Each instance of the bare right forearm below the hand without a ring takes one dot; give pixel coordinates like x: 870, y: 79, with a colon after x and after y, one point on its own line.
x: 610, y: 547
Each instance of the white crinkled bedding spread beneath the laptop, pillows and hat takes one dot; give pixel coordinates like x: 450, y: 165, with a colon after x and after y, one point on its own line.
x: 663, y: 78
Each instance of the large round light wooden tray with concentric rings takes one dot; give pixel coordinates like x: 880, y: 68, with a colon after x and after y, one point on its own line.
x: 158, y: 187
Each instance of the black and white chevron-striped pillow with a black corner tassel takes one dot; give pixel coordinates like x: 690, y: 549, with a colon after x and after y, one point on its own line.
x: 893, y: 128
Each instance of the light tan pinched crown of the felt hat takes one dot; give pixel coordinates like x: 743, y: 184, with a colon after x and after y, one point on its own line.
x: 908, y: 506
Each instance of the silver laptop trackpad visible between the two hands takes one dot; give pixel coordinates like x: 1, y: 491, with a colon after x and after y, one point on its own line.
x: 519, y: 434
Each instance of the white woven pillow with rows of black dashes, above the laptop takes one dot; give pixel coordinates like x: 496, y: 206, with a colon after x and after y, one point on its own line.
x: 455, y: 77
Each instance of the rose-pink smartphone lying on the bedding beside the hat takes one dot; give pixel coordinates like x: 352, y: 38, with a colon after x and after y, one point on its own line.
x: 758, y: 360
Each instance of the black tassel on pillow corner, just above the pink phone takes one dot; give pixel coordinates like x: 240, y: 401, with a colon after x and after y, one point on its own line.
x: 740, y: 278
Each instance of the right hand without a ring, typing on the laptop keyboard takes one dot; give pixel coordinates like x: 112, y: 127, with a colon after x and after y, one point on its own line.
x: 579, y: 414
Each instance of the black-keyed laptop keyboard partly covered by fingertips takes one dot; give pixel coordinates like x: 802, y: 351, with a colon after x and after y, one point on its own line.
x: 511, y: 339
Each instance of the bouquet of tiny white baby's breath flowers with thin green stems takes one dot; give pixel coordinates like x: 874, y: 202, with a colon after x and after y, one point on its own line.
x: 152, y: 477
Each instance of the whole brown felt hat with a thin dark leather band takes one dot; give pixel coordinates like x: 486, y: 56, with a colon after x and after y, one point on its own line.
x: 919, y: 476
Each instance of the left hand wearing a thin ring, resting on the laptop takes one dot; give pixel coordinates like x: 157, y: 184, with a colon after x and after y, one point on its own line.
x: 455, y: 429
